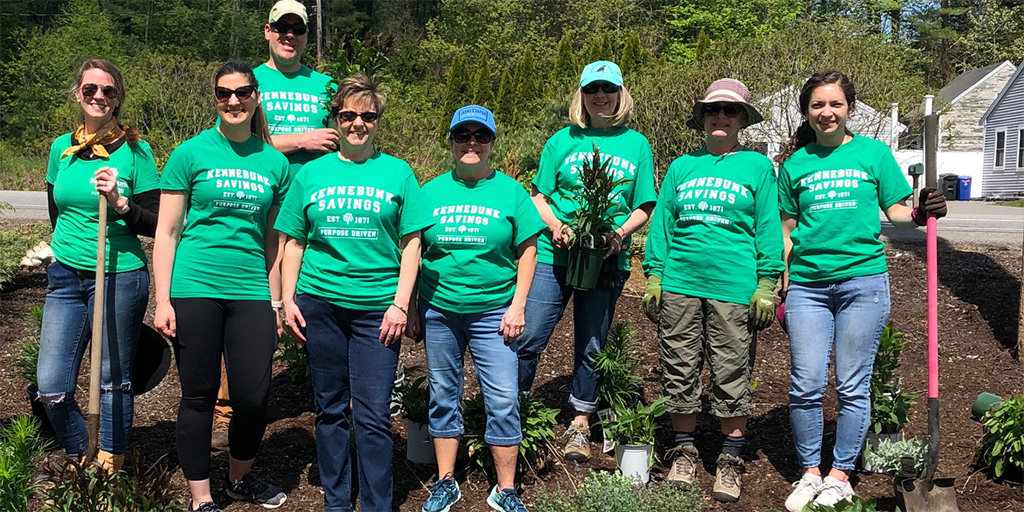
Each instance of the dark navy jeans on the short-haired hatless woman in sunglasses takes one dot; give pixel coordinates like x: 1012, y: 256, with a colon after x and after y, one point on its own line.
x: 349, y: 363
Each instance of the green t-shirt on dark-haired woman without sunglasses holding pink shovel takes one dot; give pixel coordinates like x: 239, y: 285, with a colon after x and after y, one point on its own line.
x: 835, y: 194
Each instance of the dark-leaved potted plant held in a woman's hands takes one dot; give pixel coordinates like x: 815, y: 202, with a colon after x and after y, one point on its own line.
x: 594, y: 217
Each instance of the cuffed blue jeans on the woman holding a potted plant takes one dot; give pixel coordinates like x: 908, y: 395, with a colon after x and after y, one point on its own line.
x: 592, y: 316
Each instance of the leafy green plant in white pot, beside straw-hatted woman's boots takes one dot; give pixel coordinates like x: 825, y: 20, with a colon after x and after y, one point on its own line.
x: 632, y: 429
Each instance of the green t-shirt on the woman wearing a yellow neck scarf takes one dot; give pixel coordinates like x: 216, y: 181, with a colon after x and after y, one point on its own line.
x: 75, y: 193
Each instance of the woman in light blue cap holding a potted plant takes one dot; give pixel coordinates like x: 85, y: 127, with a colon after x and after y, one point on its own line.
x: 600, y: 111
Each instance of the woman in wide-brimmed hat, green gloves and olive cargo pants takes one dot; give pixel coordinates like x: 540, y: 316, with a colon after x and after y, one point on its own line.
x: 713, y: 258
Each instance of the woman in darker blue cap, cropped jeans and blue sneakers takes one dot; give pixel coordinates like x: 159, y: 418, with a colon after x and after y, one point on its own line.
x: 480, y: 251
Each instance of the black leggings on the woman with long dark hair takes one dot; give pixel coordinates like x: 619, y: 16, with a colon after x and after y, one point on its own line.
x: 245, y: 332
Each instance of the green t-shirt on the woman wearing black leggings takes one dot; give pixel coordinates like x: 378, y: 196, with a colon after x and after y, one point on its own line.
x: 231, y: 189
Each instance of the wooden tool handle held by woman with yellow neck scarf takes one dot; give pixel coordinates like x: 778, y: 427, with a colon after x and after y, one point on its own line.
x: 97, y: 346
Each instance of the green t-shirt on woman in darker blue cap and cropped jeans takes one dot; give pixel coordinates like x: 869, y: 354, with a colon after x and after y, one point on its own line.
x: 470, y: 258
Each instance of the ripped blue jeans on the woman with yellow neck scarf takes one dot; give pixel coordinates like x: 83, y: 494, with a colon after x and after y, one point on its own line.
x: 67, y: 331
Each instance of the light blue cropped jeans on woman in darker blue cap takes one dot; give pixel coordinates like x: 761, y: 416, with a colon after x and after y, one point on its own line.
x: 448, y: 334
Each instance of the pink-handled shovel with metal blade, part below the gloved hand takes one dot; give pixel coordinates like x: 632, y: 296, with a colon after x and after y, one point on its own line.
x: 928, y: 494
